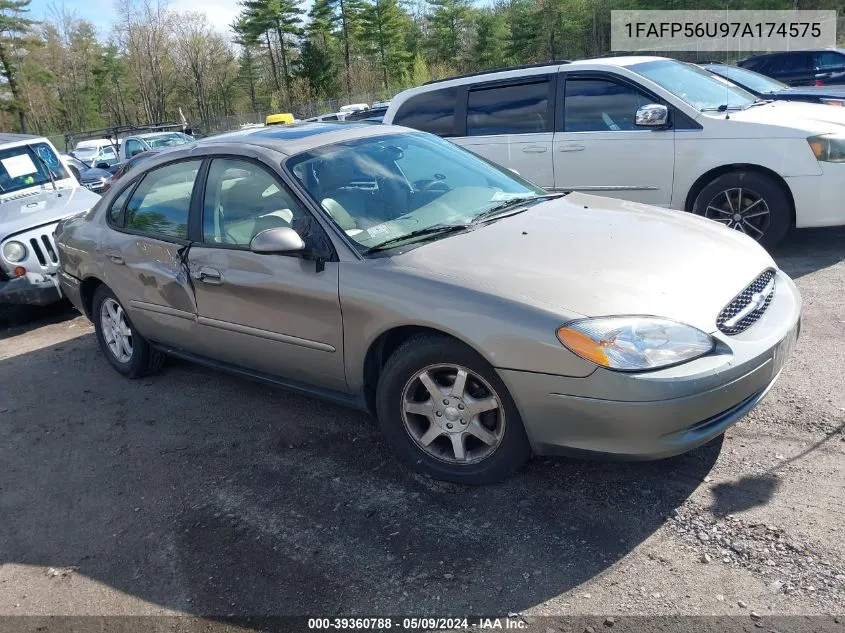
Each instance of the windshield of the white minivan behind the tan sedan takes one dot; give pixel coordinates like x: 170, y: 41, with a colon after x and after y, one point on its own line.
x: 696, y: 86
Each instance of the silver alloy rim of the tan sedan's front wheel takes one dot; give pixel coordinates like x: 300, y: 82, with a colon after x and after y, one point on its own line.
x: 453, y: 414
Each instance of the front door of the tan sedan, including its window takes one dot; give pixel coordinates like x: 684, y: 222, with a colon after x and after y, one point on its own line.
x: 272, y: 313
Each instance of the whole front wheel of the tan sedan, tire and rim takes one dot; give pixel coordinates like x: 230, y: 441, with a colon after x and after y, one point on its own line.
x: 447, y: 414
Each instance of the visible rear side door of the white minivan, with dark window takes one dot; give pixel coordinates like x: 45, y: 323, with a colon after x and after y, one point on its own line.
x: 511, y: 123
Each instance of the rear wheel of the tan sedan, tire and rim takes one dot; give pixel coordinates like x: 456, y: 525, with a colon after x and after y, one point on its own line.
x: 125, y: 349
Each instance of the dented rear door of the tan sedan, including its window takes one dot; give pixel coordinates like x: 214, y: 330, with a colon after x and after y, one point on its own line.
x: 143, y: 253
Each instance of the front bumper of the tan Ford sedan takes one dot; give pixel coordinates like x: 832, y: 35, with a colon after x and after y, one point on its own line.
x: 661, y: 413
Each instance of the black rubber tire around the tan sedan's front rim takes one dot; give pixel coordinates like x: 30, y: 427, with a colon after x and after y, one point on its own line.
x: 418, y: 353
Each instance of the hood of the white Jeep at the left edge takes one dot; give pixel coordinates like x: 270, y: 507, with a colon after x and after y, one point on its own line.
x: 43, y: 207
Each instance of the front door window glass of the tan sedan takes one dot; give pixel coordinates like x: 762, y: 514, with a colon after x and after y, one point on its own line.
x: 242, y: 199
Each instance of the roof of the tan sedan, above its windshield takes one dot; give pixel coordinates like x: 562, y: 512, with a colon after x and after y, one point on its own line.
x: 301, y: 137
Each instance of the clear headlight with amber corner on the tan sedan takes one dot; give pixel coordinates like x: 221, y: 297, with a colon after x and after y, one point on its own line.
x: 634, y: 343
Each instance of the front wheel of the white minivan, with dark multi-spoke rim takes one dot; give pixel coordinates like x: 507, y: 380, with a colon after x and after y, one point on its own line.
x: 749, y: 202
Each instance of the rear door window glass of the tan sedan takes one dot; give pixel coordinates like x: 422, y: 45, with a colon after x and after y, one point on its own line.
x: 161, y: 202
